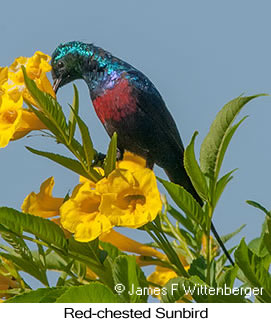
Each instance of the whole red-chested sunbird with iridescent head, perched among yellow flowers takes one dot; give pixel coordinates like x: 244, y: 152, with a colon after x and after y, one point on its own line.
x: 128, y: 103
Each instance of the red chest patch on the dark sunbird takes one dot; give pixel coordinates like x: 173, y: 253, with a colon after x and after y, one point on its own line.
x: 115, y: 103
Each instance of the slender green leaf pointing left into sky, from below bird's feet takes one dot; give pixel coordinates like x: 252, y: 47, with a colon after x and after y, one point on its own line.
x: 69, y: 163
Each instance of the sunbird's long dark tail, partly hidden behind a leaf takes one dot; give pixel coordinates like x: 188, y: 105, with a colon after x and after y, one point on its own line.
x: 180, y: 177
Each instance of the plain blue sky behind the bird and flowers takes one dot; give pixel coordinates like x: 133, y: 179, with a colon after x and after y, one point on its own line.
x: 199, y: 54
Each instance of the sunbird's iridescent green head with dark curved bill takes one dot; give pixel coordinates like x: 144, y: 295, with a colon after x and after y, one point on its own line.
x: 67, y: 62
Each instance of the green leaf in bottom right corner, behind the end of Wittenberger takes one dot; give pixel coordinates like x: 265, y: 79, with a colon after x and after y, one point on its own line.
x: 253, y: 268
